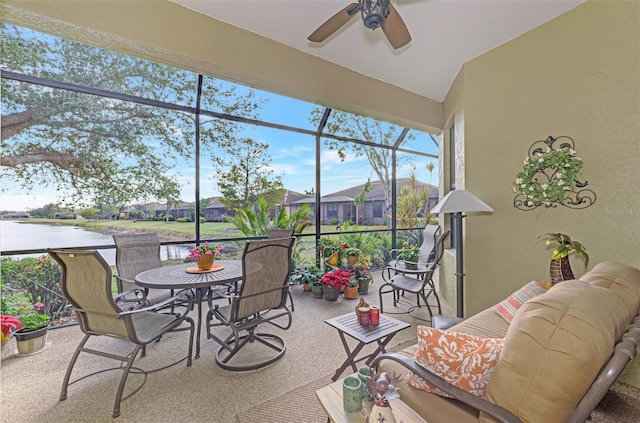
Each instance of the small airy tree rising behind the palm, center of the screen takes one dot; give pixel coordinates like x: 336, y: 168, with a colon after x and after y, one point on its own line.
x: 249, y: 178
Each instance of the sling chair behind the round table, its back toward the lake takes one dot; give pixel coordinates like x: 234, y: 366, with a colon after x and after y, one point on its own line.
x: 136, y: 253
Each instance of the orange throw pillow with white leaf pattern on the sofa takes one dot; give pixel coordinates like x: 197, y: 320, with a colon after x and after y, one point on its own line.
x: 465, y: 361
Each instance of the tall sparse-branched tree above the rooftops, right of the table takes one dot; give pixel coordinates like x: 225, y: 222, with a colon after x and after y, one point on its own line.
x: 365, y: 129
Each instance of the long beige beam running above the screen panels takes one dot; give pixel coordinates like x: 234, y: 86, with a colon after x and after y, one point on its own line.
x: 171, y: 34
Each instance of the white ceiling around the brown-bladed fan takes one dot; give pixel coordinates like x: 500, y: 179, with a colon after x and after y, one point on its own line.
x: 445, y: 33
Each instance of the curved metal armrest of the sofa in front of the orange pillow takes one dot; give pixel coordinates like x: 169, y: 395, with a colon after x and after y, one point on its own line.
x: 478, y: 403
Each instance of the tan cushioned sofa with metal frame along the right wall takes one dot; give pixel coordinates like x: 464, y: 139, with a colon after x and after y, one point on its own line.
x: 562, y: 352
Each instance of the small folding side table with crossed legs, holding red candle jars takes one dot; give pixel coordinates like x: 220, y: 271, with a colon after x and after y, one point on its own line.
x: 382, y: 334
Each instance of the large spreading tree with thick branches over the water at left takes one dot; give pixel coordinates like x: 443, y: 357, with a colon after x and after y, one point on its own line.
x: 88, y: 146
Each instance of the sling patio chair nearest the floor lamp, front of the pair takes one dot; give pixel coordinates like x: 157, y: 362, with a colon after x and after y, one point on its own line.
x: 420, y: 284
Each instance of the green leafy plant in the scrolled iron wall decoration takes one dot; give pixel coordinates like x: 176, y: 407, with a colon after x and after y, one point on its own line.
x: 548, y: 175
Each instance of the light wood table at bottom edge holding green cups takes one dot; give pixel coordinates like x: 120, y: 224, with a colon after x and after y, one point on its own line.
x: 330, y: 398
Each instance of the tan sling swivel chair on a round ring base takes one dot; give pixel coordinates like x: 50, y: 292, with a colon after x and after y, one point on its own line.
x: 261, y: 299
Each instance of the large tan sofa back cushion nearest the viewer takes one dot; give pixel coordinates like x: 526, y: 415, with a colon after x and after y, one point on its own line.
x: 554, y: 349
